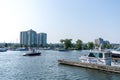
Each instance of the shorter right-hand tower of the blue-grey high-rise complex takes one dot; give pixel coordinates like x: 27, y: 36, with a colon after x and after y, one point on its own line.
x: 42, y: 39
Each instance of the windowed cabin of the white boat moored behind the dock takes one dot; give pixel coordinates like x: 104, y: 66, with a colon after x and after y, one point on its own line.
x: 100, y: 57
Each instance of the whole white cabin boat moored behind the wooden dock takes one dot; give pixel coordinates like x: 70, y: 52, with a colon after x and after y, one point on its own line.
x: 99, y: 57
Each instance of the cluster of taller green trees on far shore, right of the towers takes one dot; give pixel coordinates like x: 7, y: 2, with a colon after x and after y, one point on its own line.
x: 79, y: 45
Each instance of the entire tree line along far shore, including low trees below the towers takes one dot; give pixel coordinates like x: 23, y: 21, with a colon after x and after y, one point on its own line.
x: 67, y: 44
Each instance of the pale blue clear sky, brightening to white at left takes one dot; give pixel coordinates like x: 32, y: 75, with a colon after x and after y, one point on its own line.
x: 60, y: 19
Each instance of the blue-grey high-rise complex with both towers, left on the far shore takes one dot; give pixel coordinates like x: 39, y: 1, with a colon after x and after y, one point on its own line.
x: 31, y: 38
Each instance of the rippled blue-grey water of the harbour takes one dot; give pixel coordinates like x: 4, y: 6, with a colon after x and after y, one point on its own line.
x: 14, y: 66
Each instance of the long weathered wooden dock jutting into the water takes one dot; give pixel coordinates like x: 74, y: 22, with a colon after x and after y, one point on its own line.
x: 92, y: 66
